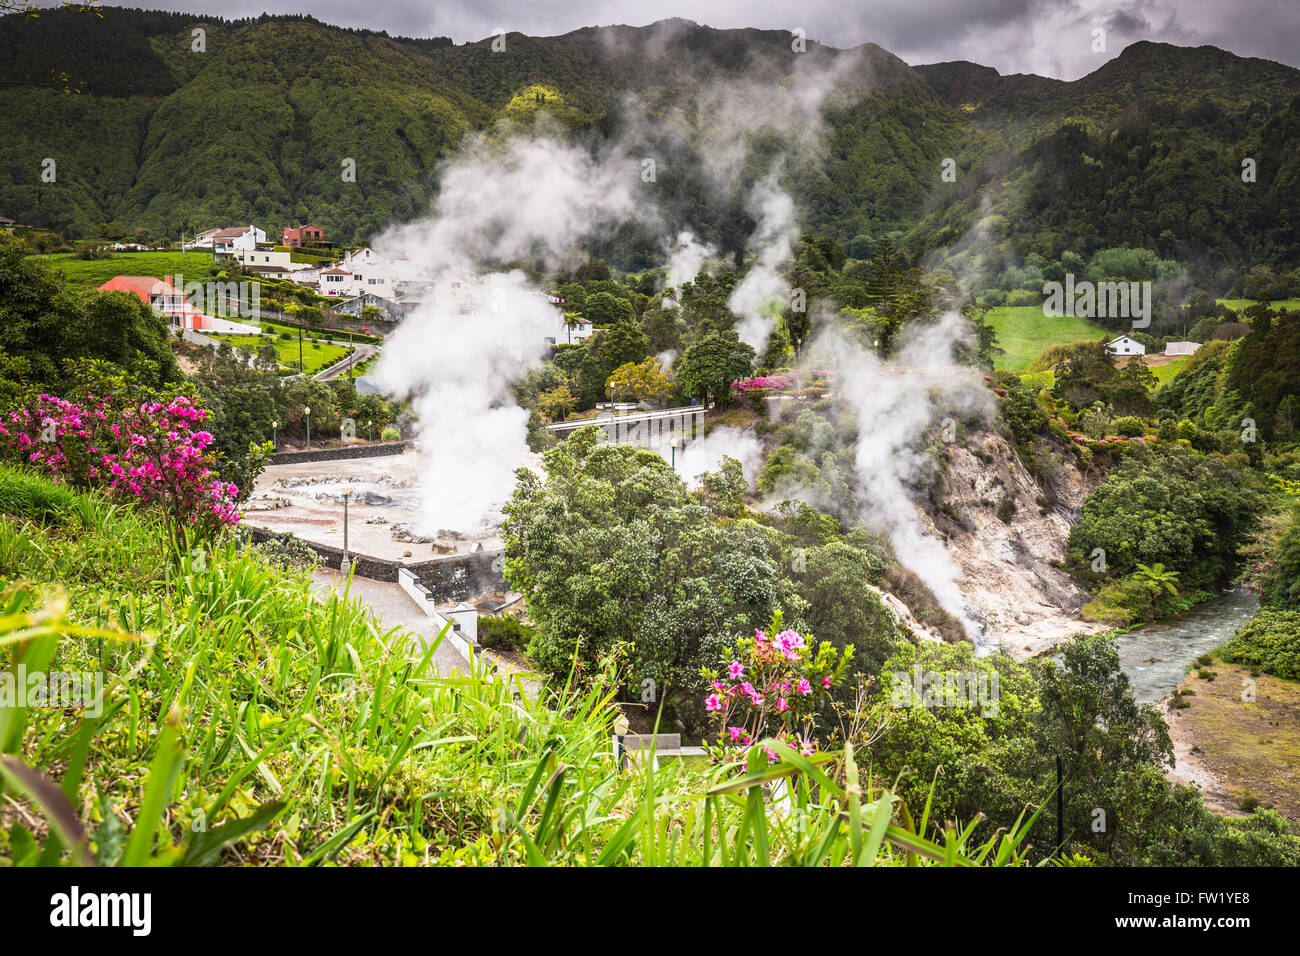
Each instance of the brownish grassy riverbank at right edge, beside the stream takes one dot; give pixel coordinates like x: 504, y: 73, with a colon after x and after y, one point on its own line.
x: 1240, y: 752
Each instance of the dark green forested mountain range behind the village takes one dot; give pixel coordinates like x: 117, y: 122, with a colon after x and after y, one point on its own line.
x: 145, y: 132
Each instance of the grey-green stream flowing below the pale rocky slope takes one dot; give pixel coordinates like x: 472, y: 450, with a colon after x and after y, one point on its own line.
x: 1156, y: 657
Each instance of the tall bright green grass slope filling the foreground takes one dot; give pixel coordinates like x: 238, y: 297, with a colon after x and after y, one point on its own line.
x: 245, y: 721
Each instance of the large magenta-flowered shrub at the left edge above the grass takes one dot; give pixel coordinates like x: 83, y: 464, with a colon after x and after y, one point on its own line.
x: 149, y: 451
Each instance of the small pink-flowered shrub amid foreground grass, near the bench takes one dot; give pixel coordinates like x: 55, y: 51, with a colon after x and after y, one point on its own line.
x: 773, y: 689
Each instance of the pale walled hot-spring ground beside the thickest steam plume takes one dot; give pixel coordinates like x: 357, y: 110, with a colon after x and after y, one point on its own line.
x: 384, y: 509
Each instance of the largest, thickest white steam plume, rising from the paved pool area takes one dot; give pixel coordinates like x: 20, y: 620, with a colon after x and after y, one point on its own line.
x: 457, y: 356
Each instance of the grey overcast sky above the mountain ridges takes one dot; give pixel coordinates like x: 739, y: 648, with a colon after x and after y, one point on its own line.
x: 1051, y: 38
